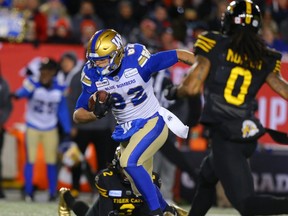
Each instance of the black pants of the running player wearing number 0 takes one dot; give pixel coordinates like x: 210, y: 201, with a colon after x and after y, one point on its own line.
x: 228, y: 163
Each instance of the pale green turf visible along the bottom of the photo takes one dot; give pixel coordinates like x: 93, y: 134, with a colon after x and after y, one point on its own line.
x: 14, y: 206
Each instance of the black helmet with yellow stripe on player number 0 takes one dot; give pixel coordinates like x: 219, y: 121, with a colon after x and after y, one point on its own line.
x: 242, y: 13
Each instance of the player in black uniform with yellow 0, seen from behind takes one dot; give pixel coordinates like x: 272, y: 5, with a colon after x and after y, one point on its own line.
x: 233, y: 65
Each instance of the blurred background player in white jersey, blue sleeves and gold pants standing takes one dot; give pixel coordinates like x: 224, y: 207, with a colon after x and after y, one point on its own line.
x: 46, y: 107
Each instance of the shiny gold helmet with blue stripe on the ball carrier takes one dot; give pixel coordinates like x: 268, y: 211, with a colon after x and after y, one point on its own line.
x: 105, y: 44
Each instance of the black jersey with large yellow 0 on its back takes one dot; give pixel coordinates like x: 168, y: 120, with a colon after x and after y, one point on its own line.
x: 230, y: 89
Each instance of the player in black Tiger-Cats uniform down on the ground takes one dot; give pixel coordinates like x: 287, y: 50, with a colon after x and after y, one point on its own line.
x: 116, y: 197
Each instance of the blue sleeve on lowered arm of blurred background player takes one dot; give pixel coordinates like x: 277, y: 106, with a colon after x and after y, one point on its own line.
x: 64, y: 116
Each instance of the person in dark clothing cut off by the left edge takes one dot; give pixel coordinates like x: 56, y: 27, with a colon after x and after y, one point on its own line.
x: 5, y: 111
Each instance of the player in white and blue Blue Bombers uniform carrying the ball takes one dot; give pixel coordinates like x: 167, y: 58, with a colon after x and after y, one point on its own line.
x: 125, y: 72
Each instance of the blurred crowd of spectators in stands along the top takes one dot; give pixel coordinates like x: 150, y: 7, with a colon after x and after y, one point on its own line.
x: 158, y: 24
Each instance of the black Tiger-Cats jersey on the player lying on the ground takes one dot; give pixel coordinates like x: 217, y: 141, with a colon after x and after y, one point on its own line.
x: 116, y: 194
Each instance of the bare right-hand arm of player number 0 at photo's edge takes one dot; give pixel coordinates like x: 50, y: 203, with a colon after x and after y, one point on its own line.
x: 278, y: 84
